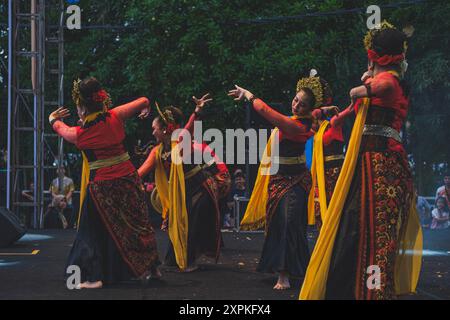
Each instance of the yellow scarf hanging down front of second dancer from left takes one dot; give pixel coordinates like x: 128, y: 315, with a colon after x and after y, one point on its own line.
x: 173, y: 199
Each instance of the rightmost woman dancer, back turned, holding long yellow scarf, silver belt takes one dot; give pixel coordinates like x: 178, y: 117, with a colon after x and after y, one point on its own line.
x: 370, y: 243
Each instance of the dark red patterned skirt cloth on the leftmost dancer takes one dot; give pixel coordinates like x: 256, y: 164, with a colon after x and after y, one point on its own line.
x: 123, y: 210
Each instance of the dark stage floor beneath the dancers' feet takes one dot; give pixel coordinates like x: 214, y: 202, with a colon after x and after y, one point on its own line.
x: 26, y: 273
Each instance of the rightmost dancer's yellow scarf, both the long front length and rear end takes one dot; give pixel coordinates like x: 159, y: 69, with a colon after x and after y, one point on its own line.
x: 409, y: 258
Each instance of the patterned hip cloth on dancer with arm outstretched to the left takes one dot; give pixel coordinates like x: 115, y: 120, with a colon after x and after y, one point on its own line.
x: 280, y: 184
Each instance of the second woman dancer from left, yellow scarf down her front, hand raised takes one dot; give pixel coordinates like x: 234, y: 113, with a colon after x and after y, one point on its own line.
x: 190, y: 206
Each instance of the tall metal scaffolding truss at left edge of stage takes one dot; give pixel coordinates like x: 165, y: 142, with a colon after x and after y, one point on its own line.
x: 33, y: 151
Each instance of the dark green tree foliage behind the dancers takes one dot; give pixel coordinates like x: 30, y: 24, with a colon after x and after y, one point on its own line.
x: 170, y: 50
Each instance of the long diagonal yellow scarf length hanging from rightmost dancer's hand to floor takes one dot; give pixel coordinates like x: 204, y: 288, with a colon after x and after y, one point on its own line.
x: 314, y: 284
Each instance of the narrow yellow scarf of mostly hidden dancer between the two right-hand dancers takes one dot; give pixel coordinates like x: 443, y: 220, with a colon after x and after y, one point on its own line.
x: 318, y: 175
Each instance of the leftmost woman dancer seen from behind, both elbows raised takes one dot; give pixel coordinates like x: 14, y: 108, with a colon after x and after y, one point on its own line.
x: 115, y: 239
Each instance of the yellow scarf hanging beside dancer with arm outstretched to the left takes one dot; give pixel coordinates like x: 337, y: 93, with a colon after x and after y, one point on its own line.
x: 255, y: 215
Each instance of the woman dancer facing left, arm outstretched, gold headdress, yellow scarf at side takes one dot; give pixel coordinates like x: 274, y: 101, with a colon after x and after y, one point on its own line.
x: 279, y: 201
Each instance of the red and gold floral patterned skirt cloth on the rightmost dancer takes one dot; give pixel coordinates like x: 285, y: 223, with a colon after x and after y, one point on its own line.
x: 386, y: 191
